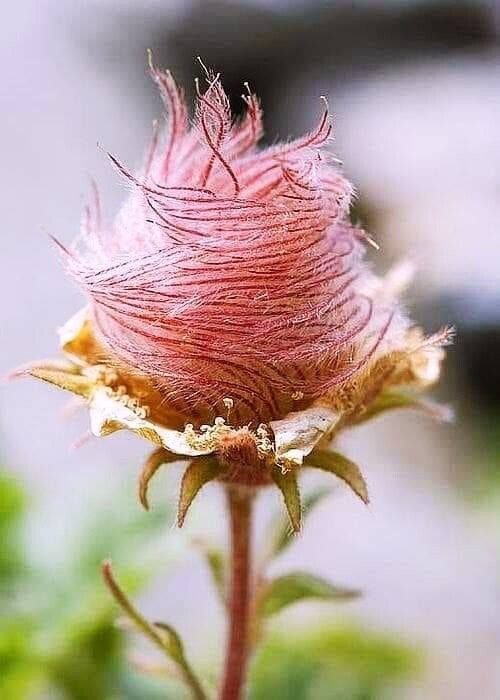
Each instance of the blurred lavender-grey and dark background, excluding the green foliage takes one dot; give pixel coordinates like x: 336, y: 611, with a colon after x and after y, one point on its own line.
x: 415, y: 90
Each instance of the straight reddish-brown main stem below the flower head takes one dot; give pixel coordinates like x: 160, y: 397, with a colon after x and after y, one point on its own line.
x: 239, y: 501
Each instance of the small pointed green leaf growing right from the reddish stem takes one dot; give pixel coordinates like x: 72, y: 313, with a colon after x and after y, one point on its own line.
x: 292, y: 588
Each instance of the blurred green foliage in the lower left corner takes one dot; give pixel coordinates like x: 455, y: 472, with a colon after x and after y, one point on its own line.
x: 58, y: 638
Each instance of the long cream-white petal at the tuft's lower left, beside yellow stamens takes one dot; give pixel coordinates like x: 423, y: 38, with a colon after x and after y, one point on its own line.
x: 109, y: 413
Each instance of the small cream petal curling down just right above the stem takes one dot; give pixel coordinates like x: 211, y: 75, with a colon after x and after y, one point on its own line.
x: 296, y: 435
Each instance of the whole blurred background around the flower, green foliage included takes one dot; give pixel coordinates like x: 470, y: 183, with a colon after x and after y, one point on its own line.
x: 415, y: 89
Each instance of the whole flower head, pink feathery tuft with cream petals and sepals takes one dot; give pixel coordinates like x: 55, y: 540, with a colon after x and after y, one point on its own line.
x: 231, y: 318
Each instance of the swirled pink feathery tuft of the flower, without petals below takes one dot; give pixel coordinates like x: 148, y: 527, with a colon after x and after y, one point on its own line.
x: 233, y: 271
